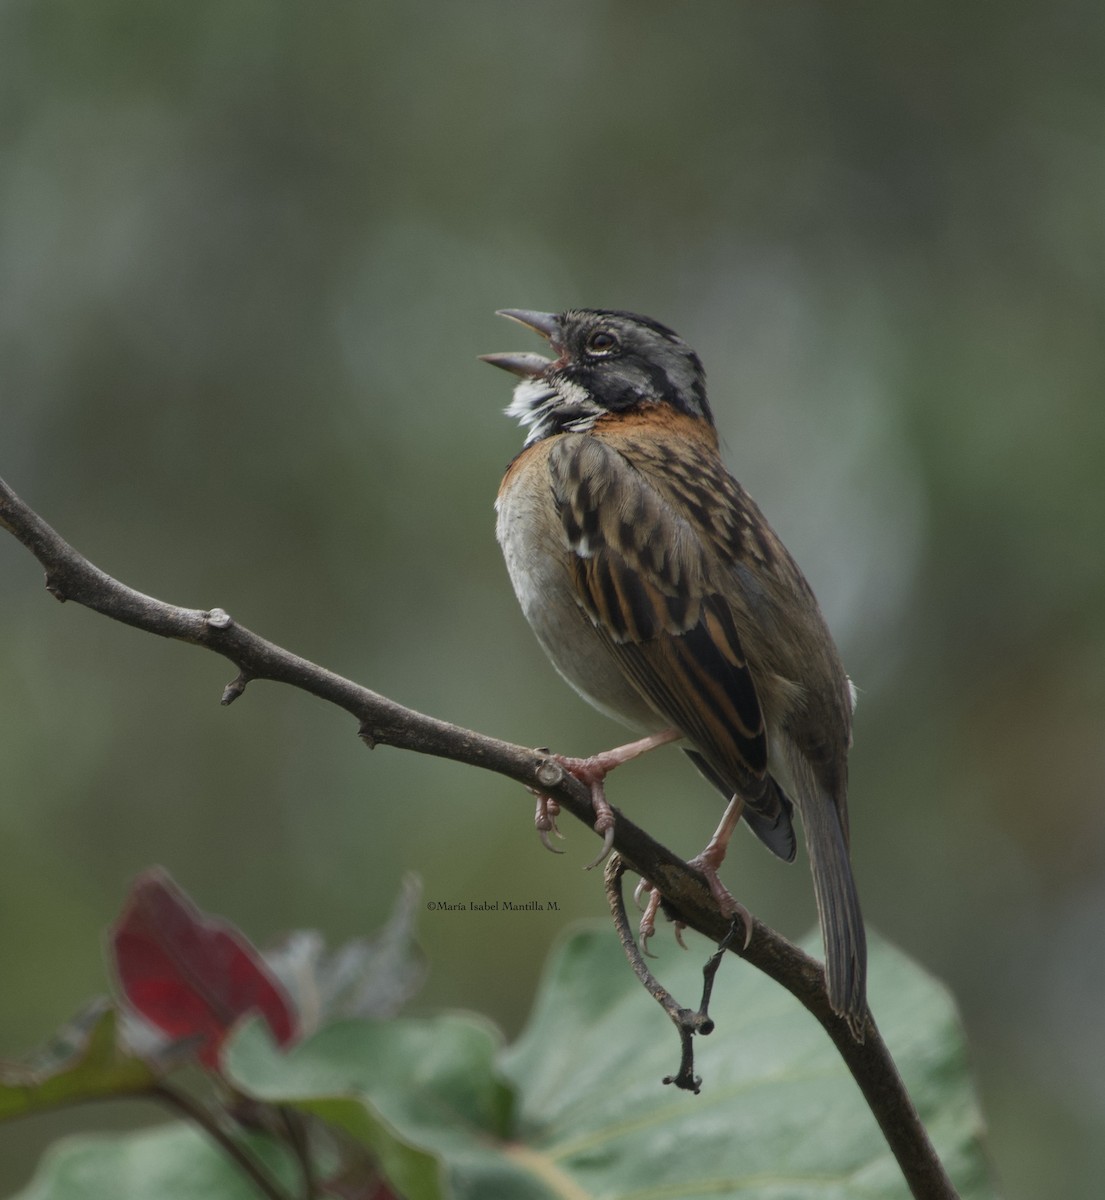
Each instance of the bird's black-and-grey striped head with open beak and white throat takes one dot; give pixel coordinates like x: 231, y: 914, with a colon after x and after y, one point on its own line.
x: 606, y: 362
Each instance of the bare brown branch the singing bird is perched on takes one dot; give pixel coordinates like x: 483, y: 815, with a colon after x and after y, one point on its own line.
x: 382, y: 722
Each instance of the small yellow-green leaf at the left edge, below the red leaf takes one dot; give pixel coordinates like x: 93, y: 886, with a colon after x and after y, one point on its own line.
x: 82, y: 1063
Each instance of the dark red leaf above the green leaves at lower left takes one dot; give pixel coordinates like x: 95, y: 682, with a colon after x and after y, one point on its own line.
x: 190, y: 975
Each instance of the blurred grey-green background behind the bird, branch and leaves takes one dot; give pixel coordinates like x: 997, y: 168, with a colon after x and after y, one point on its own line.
x: 249, y: 255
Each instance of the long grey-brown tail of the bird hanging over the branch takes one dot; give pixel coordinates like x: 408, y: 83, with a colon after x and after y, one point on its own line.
x: 838, y: 907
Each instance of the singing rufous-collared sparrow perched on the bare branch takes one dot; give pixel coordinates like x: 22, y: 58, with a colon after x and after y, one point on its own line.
x: 663, y: 596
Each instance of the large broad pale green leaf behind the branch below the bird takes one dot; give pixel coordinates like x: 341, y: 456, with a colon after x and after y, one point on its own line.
x: 779, y: 1114
